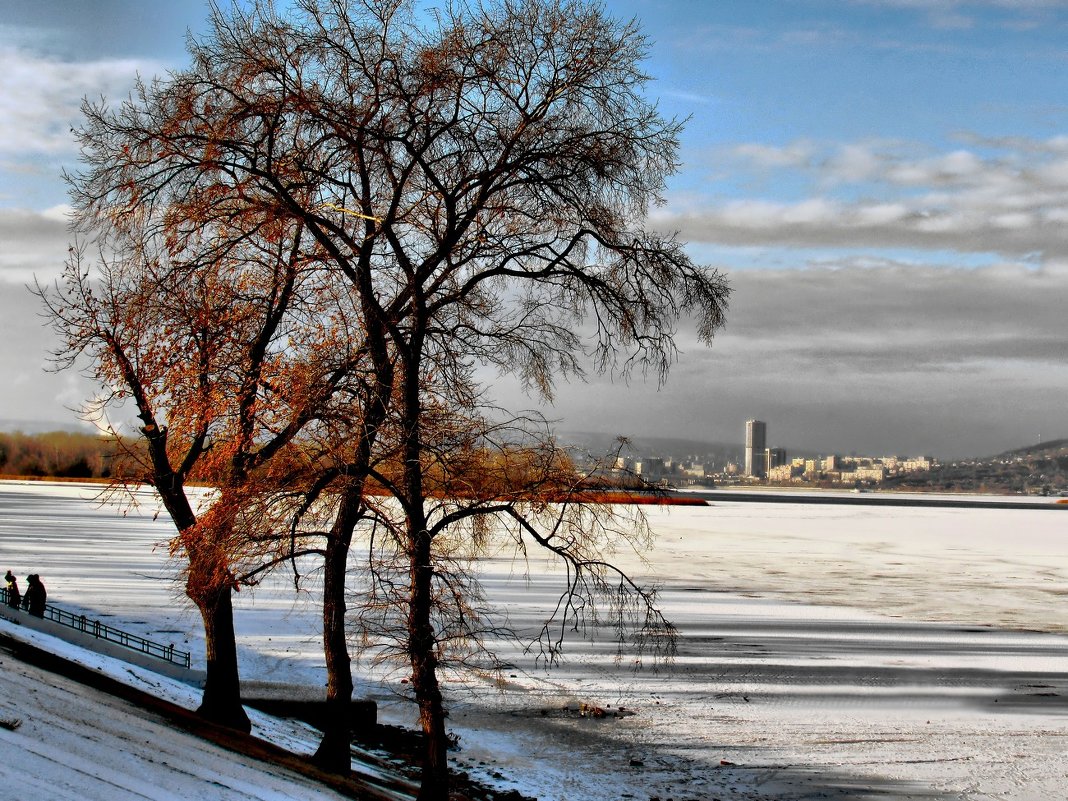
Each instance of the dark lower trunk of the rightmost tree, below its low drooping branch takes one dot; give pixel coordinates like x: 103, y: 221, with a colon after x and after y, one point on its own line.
x: 425, y: 677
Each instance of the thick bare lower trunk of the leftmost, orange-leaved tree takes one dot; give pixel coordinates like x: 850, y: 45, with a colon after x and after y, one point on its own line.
x: 223, y: 687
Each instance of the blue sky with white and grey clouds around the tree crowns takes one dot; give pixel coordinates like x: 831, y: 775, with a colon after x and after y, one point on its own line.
x: 886, y: 183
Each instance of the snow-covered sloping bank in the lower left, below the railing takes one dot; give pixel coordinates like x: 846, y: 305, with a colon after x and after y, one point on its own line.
x: 61, y: 741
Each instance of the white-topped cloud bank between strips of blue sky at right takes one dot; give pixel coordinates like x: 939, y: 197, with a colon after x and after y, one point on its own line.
x: 891, y: 195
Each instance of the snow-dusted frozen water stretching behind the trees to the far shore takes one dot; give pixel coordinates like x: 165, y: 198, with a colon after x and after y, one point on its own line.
x: 826, y: 652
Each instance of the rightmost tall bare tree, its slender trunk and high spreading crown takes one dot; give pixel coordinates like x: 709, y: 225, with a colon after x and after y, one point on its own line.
x: 514, y: 159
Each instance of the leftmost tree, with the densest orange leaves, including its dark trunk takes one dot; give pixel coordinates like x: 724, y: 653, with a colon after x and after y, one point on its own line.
x: 225, y: 356
